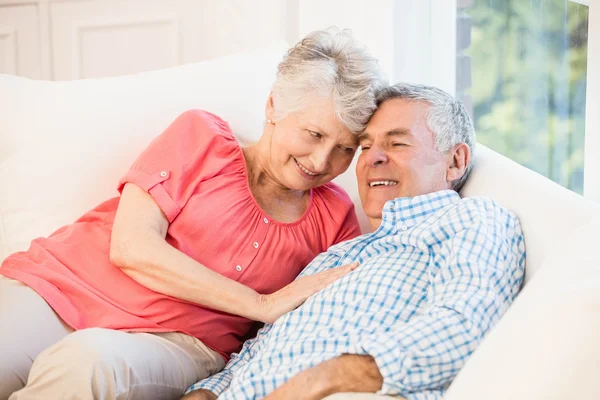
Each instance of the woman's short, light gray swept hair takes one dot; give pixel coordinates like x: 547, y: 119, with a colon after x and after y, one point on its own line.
x: 330, y: 63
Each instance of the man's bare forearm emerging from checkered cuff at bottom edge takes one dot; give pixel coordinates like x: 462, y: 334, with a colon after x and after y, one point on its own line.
x: 346, y: 373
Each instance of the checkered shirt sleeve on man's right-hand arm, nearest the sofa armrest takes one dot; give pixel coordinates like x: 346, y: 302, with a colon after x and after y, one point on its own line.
x: 480, y: 275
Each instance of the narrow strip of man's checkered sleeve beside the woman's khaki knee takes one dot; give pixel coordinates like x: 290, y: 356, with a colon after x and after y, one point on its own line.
x: 220, y: 382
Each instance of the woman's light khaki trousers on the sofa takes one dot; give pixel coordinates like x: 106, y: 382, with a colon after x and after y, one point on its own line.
x: 43, y: 358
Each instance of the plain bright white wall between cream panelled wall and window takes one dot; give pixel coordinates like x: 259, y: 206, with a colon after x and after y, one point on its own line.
x: 411, y: 38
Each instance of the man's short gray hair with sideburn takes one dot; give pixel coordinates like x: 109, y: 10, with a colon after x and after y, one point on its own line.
x: 447, y: 118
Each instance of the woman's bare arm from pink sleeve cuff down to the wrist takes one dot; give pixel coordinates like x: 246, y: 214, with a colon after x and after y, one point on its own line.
x: 138, y: 246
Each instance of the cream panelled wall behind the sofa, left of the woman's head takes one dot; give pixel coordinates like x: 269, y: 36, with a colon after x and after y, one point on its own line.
x: 73, y: 39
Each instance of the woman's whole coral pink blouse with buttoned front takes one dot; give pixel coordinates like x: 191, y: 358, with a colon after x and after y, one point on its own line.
x: 196, y: 173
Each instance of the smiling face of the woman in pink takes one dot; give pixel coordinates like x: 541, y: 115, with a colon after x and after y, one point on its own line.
x: 310, y: 147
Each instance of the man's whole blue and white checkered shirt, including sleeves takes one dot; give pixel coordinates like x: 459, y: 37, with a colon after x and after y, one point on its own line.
x: 433, y: 279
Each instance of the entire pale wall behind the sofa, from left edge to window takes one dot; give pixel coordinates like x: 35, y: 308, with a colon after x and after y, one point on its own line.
x: 73, y: 39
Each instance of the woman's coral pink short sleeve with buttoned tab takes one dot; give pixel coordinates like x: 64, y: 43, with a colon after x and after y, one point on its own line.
x: 193, y: 148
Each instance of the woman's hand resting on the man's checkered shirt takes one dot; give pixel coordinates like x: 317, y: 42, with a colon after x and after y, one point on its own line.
x: 291, y: 296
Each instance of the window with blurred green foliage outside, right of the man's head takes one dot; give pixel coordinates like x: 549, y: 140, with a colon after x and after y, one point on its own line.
x: 521, y: 70
